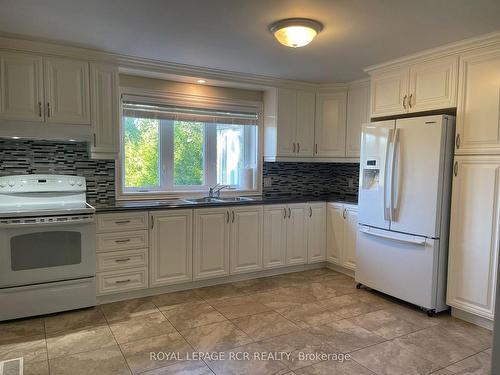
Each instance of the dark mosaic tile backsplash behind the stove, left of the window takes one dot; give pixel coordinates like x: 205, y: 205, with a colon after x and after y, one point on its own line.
x: 68, y: 158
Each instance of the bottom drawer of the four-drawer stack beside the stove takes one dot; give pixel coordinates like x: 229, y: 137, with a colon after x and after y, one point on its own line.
x: 122, y: 281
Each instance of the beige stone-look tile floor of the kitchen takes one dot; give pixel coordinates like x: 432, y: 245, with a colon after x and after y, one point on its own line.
x: 317, y: 311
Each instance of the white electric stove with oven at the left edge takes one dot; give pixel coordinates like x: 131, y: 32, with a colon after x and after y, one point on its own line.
x: 47, y: 245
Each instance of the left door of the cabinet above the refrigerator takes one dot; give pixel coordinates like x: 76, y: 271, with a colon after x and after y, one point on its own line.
x: 389, y: 93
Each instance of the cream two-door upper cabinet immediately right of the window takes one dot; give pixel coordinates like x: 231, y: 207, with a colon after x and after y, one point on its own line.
x: 288, y: 123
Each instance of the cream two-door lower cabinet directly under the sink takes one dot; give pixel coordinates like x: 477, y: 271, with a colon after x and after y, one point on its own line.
x: 227, y: 240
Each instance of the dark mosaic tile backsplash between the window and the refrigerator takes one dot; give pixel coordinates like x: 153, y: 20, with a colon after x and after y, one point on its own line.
x: 311, y: 179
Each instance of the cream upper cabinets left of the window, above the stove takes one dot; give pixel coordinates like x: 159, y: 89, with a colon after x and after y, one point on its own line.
x: 63, y: 91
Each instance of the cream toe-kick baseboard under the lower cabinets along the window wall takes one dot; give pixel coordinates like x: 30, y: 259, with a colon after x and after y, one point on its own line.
x: 209, y: 282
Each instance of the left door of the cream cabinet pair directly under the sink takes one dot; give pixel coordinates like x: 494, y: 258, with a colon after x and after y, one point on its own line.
x: 211, y: 243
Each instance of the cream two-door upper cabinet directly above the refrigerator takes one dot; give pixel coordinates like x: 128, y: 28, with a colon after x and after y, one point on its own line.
x: 423, y: 86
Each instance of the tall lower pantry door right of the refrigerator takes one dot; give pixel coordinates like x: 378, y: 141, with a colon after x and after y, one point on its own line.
x: 474, y: 235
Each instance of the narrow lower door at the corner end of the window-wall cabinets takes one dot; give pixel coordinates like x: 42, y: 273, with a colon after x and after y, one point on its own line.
x: 316, y: 233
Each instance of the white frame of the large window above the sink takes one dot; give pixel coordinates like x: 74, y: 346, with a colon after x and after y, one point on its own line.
x: 187, y: 100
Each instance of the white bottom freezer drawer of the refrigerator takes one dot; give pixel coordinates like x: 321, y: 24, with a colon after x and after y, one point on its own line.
x: 401, y: 265
